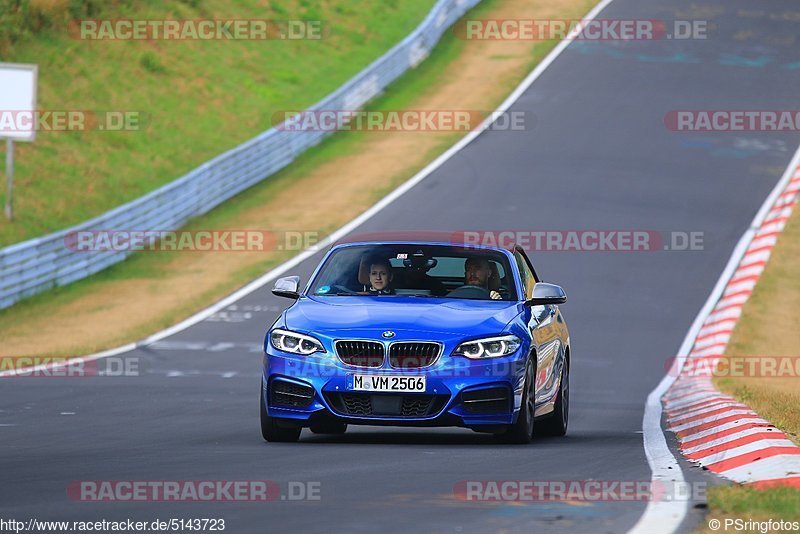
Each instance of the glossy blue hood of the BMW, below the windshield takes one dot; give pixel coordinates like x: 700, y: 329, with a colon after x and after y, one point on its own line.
x: 370, y: 316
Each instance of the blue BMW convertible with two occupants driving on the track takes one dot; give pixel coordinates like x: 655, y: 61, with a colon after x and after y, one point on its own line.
x: 418, y: 333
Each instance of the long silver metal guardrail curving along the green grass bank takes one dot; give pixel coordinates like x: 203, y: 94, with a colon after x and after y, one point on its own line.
x: 39, y: 264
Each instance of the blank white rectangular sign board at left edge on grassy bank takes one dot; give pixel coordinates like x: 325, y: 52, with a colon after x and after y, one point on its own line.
x: 17, y: 94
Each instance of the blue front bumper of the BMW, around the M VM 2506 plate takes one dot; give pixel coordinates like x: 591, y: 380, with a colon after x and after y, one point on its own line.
x: 460, y: 392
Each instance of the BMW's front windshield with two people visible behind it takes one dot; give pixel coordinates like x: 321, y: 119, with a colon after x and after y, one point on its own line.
x: 416, y: 270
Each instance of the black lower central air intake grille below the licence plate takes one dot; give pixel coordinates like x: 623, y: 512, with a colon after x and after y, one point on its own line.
x: 366, y: 404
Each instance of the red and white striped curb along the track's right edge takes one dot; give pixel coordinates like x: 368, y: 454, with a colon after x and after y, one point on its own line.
x: 714, y: 430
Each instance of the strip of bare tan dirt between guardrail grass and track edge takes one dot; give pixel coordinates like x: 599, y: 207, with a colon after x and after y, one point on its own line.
x: 112, y: 313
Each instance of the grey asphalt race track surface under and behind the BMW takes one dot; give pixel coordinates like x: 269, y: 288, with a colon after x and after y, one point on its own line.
x: 597, y: 157
